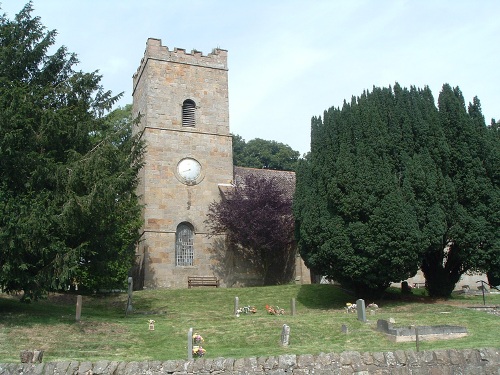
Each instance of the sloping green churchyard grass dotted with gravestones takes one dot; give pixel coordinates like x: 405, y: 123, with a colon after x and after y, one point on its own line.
x: 104, y: 332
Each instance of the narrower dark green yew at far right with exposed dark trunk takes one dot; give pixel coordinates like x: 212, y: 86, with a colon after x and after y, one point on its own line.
x: 470, y: 232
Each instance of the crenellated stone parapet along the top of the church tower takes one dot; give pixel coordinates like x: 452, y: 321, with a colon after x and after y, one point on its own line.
x: 217, y: 59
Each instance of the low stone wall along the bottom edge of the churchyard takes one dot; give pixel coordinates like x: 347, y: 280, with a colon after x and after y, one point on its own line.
x: 443, y: 362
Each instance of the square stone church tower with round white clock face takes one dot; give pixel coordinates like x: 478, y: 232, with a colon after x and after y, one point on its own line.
x: 182, y: 101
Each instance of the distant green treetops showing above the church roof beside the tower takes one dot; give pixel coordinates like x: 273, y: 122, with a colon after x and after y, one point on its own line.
x: 261, y: 154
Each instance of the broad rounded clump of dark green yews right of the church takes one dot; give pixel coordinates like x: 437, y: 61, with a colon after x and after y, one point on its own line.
x: 394, y: 183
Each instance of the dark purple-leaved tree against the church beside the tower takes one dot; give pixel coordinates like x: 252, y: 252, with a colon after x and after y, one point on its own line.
x: 256, y: 215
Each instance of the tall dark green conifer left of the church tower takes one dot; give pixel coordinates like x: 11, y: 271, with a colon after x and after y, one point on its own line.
x: 68, y: 172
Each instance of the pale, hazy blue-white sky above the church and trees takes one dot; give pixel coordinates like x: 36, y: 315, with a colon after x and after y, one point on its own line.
x: 291, y: 60
